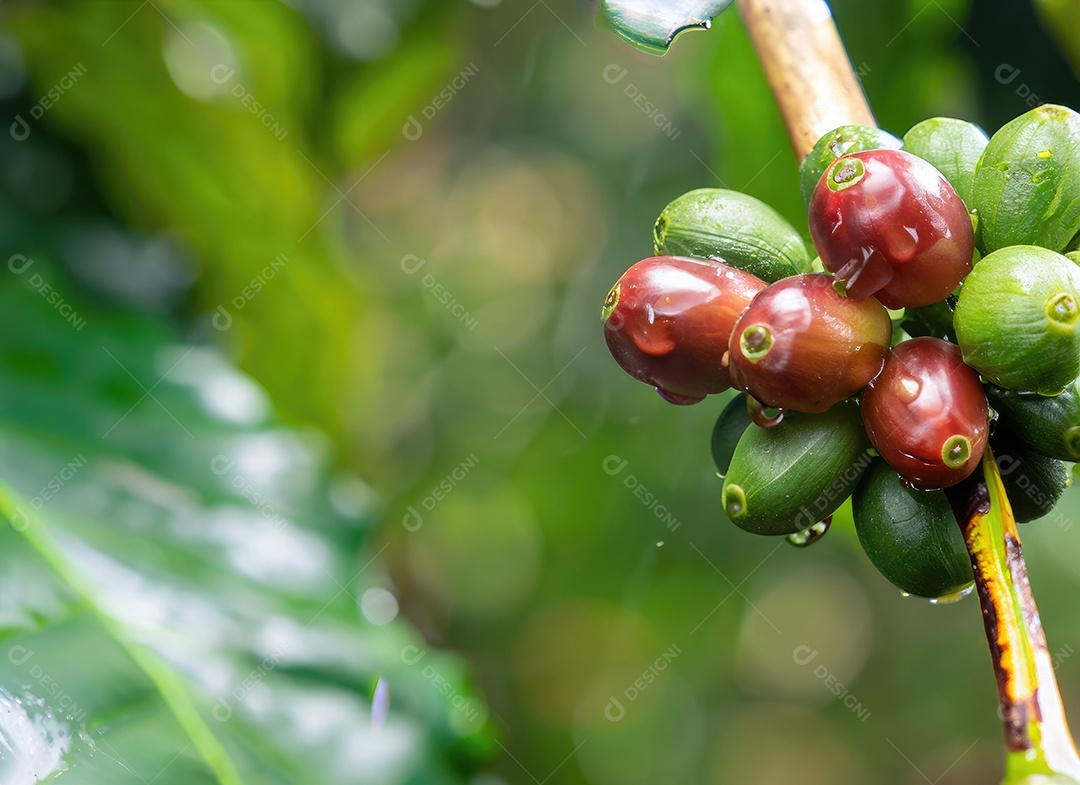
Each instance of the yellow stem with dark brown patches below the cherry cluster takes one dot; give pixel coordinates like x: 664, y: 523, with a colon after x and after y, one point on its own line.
x: 1037, y: 736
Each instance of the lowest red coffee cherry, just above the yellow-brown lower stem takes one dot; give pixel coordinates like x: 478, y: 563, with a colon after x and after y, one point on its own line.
x: 927, y: 415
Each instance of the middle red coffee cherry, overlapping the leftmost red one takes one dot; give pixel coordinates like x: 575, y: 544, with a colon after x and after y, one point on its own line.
x: 801, y: 346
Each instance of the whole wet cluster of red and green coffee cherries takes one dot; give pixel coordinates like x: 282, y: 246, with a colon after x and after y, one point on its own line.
x: 939, y: 319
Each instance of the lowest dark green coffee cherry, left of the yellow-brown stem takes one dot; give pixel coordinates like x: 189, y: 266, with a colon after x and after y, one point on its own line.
x: 911, y: 536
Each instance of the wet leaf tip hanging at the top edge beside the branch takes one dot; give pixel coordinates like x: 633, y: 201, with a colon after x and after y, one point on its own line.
x: 652, y: 25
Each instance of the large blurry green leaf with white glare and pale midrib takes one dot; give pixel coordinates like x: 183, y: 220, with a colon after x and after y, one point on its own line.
x: 182, y: 576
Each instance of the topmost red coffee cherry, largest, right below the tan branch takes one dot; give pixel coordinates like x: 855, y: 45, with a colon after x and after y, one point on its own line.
x: 889, y: 225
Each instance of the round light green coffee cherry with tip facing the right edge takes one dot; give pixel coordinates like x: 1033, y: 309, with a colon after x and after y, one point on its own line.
x: 1017, y: 319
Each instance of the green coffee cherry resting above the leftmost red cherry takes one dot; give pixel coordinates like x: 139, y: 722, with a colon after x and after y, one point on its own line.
x: 734, y: 228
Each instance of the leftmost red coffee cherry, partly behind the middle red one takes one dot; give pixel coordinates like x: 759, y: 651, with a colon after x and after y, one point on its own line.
x: 668, y: 322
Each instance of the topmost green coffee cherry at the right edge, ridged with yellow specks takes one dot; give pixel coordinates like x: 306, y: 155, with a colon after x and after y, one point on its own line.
x: 1028, y: 185
